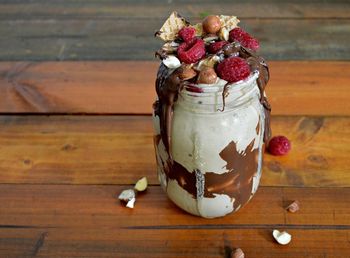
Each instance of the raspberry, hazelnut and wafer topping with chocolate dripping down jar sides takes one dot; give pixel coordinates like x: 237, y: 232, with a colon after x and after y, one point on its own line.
x: 203, y: 54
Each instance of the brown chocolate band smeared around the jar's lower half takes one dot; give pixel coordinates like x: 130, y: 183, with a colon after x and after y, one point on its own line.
x: 236, y: 182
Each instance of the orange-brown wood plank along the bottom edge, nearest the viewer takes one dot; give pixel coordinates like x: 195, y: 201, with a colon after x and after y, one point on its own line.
x: 113, y: 242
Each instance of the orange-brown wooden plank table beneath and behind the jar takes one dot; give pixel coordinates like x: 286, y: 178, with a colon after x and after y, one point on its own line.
x: 73, y: 134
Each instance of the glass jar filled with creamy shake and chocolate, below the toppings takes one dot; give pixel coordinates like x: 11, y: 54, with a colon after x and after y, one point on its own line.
x: 214, y: 163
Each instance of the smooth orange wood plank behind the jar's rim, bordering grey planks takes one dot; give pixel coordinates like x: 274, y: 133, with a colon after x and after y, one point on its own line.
x: 295, y: 88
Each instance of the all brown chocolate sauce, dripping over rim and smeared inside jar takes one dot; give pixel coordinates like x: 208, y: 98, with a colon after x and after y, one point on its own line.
x: 237, y: 181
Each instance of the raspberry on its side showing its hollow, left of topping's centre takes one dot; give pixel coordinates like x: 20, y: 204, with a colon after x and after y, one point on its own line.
x: 192, y: 51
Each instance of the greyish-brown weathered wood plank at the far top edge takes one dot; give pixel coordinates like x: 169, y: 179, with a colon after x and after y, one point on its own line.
x: 110, y: 9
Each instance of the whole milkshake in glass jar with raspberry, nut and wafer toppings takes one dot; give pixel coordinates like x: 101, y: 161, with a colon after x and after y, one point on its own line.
x: 211, y: 116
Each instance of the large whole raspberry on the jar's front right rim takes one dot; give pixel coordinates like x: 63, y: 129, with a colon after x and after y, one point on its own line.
x: 233, y: 69
